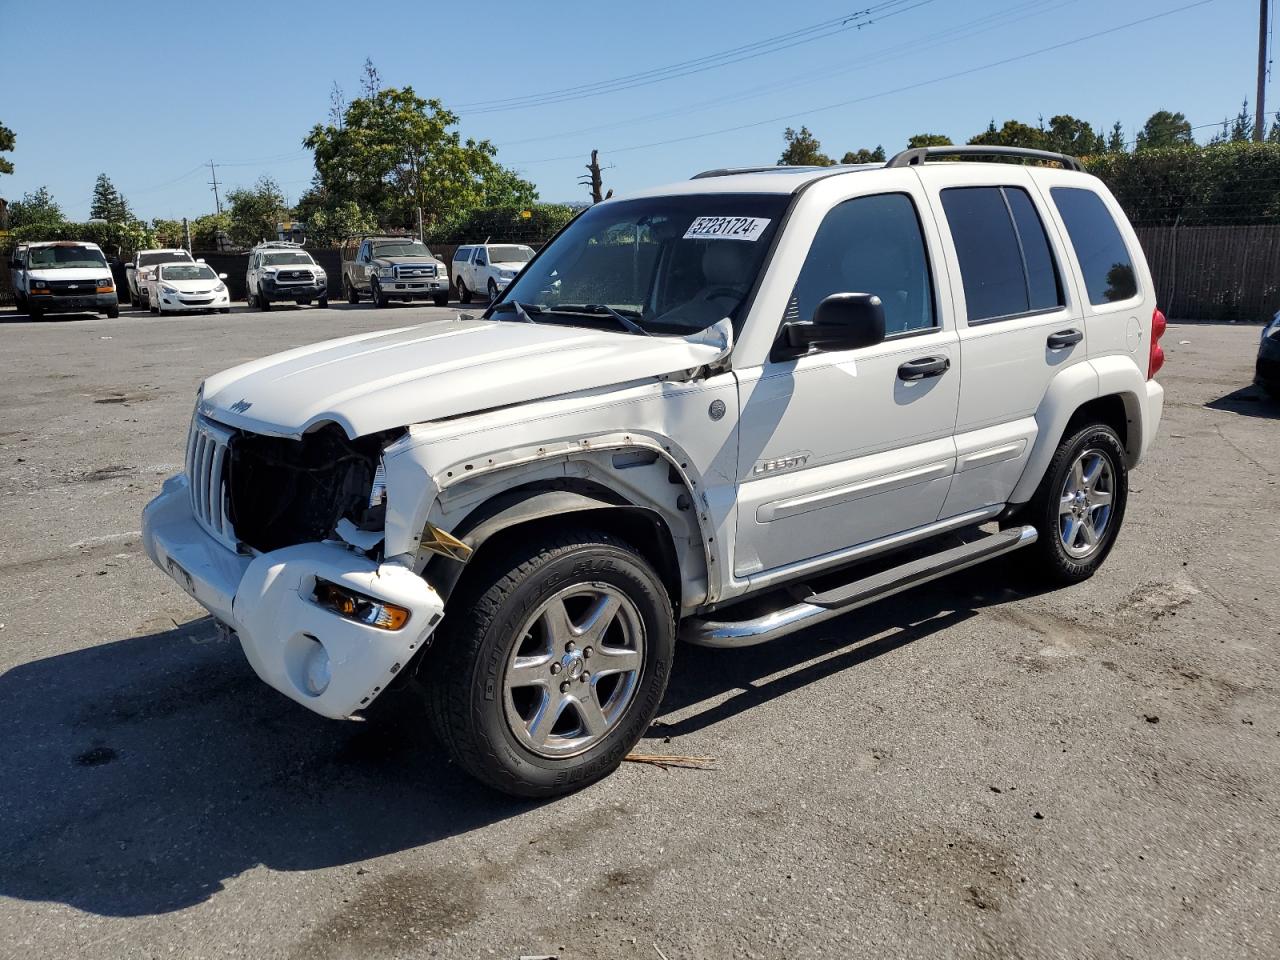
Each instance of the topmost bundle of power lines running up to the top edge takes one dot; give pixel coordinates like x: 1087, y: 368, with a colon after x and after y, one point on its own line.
x: 806, y: 35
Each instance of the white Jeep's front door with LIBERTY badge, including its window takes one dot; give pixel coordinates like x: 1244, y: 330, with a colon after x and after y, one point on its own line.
x: 844, y: 447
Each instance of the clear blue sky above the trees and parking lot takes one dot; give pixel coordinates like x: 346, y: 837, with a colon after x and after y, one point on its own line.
x: 243, y: 84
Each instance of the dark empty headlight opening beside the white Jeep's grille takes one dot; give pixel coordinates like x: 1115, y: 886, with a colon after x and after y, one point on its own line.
x: 285, y: 492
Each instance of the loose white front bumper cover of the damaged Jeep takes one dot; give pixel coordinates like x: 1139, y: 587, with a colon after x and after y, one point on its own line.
x: 267, y: 601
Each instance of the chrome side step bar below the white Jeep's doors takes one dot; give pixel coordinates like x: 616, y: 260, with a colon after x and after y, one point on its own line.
x: 817, y: 609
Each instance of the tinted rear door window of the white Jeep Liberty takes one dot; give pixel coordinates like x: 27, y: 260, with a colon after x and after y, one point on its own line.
x: 1005, y: 262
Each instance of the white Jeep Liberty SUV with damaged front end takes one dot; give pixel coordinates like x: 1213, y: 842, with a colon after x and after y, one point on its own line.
x: 723, y: 410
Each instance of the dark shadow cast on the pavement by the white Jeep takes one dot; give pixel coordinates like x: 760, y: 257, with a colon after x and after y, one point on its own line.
x: 140, y: 776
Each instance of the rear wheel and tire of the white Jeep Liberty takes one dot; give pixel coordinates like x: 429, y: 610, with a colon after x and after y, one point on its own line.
x: 1069, y: 515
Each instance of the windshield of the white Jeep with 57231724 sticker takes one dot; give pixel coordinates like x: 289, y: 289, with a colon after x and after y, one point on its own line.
x: 675, y: 266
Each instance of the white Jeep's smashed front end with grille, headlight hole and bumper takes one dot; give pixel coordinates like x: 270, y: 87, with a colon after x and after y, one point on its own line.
x: 284, y: 542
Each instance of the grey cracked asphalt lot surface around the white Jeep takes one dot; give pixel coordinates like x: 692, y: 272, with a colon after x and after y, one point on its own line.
x: 964, y: 771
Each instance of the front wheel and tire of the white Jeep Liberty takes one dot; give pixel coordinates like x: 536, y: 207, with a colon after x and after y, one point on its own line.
x: 501, y: 605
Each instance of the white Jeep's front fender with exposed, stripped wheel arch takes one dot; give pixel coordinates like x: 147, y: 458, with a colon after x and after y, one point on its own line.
x: 458, y: 465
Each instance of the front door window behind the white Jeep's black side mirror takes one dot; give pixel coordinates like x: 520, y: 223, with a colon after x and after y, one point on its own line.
x: 870, y: 245
